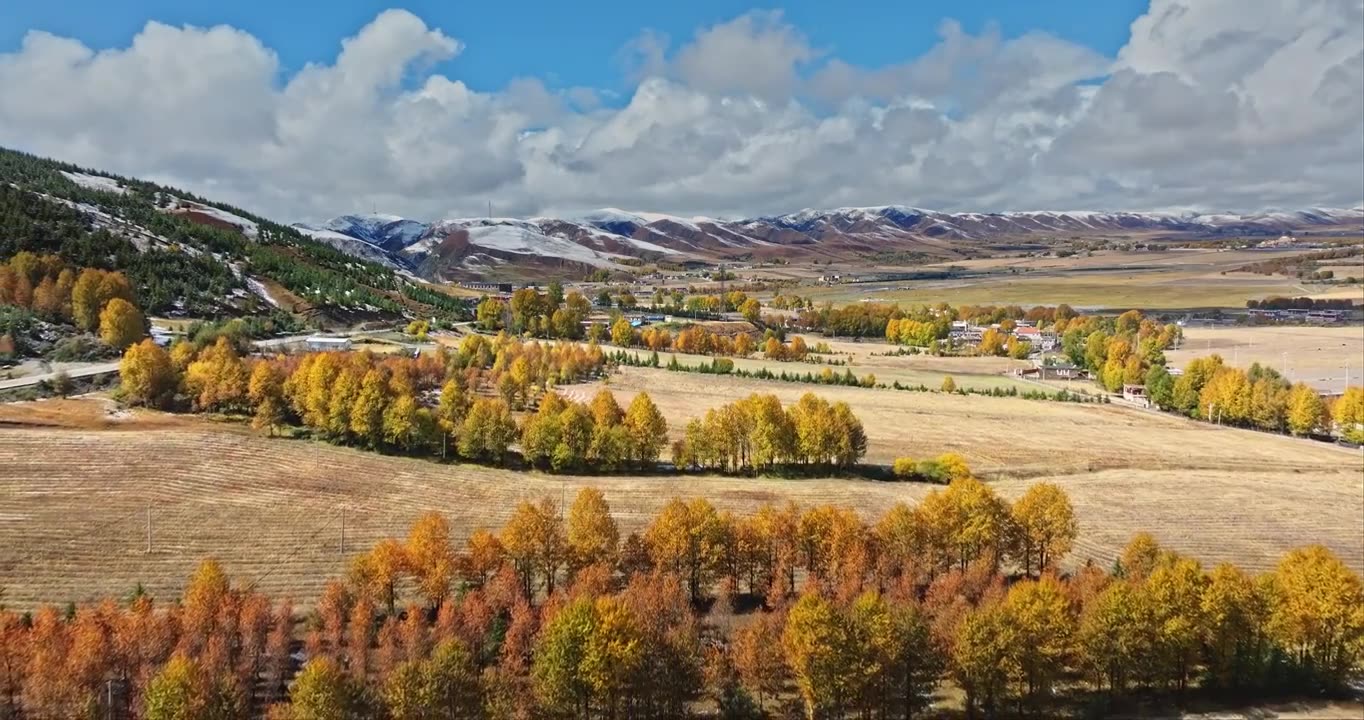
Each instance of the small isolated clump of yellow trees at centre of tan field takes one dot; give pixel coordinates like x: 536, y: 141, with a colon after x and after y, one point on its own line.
x: 758, y: 434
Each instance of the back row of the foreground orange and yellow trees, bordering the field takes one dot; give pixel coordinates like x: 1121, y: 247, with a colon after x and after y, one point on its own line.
x: 760, y: 554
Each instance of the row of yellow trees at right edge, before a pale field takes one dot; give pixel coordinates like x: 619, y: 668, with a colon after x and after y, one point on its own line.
x: 1258, y: 397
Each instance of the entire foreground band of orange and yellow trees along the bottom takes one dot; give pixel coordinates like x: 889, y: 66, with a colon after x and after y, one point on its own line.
x: 781, y: 613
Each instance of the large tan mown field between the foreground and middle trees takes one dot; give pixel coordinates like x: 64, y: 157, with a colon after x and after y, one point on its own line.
x: 76, y: 497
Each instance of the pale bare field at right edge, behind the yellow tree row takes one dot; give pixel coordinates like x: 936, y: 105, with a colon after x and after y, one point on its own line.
x: 1320, y: 357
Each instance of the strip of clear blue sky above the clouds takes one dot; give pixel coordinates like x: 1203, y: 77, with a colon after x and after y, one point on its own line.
x: 572, y: 44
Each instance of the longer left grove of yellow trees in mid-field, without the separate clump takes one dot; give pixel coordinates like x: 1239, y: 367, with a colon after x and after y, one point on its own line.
x: 430, y: 404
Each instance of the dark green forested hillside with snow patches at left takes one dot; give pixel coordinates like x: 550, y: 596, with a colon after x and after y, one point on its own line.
x: 192, y: 257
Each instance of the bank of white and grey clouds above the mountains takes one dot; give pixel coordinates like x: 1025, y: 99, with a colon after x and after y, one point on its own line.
x: 1209, y: 106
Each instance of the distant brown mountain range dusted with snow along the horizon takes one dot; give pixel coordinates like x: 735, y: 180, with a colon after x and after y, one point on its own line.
x: 613, y: 238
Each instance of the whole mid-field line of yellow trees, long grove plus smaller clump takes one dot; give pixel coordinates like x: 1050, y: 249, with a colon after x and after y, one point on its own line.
x: 443, y: 406
